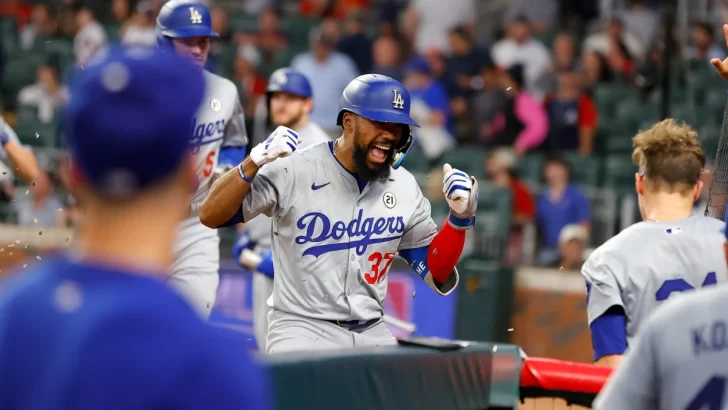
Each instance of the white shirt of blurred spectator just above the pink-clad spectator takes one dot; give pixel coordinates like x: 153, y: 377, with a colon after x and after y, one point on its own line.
x: 532, y: 54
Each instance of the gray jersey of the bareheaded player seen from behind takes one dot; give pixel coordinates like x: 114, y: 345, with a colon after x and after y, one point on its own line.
x: 648, y: 262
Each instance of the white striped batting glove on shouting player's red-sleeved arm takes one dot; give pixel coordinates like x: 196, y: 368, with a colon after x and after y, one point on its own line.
x: 461, y: 193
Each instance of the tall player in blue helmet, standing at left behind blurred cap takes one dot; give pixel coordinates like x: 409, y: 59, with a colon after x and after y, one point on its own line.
x: 217, y: 133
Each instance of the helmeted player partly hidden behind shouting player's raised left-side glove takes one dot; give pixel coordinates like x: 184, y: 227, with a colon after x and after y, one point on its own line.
x: 289, y: 101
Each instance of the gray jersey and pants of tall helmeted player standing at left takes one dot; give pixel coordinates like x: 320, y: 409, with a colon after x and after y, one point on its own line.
x: 219, y: 122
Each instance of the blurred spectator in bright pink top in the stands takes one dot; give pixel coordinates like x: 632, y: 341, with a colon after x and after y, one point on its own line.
x: 522, y: 123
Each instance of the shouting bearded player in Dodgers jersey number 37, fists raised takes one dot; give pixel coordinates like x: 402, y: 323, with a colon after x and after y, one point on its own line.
x: 341, y: 211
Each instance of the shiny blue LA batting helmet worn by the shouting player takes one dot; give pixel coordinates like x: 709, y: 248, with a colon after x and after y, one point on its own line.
x: 382, y: 99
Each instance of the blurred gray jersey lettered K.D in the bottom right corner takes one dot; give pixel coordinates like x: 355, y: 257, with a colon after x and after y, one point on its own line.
x: 679, y: 360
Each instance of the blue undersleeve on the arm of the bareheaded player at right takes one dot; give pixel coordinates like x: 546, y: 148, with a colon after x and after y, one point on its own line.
x: 609, y: 333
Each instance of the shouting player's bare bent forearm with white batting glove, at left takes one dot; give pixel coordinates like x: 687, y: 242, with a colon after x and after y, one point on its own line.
x: 223, y: 205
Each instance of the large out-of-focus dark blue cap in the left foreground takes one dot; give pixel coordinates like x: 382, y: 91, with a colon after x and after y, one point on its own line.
x: 129, y: 116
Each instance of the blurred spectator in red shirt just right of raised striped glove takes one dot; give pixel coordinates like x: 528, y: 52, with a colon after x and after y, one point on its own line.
x: 500, y: 172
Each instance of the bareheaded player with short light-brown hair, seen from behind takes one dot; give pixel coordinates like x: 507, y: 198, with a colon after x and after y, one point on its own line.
x: 670, y: 251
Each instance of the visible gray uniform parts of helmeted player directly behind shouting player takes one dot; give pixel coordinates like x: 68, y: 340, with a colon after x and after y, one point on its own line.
x: 259, y: 230
